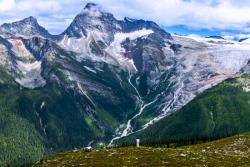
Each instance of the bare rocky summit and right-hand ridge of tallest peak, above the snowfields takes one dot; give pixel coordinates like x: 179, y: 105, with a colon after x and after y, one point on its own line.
x: 94, y: 20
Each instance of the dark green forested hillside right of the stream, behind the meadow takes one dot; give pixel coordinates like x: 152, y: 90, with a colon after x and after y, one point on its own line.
x: 220, y: 111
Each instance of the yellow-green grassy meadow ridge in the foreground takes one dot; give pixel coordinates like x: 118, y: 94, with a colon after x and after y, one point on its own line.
x: 228, y: 152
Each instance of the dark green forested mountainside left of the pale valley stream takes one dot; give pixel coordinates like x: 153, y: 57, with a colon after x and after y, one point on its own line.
x: 37, y: 122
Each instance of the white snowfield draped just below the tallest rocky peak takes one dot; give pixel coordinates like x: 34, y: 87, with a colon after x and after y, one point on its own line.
x: 115, y: 53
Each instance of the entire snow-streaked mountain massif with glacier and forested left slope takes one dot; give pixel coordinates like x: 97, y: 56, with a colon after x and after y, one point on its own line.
x: 100, y: 80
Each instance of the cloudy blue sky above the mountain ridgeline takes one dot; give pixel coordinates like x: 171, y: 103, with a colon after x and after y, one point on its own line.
x: 204, y: 17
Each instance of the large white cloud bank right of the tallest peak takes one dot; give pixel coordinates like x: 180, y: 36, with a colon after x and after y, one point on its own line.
x: 199, y: 14
